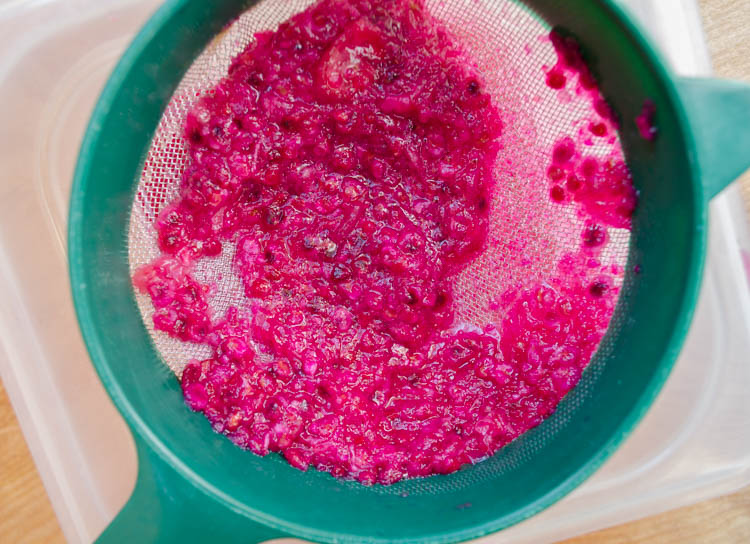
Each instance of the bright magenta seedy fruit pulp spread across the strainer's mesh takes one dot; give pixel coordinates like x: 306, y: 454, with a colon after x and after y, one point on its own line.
x: 347, y: 159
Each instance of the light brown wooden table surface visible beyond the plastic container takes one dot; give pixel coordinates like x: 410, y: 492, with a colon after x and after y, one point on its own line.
x: 26, y: 515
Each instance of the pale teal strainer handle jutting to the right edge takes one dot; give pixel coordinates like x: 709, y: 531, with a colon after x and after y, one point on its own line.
x: 719, y: 116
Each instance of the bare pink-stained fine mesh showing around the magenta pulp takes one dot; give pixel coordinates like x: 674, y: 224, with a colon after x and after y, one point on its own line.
x: 528, y: 232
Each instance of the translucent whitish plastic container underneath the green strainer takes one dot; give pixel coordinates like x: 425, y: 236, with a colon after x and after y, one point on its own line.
x: 693, y: 444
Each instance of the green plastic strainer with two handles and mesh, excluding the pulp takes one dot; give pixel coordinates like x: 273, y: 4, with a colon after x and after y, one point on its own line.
x: 194, y: 485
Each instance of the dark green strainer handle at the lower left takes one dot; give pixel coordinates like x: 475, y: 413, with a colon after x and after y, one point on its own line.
x: 165, y: 507
